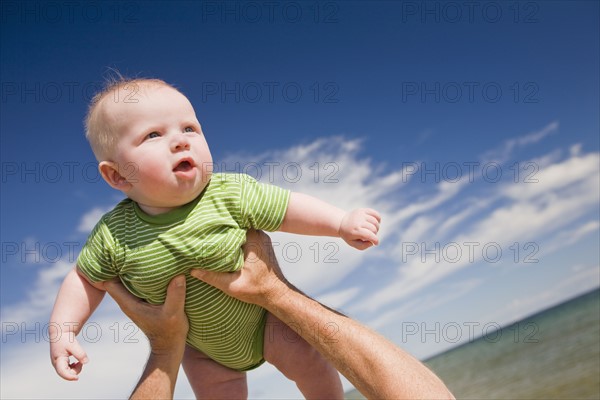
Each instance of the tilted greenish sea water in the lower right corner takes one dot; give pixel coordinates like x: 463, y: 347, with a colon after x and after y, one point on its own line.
x: 554, y: 354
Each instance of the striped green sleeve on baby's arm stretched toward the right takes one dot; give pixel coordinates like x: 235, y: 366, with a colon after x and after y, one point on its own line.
x: 263, y: 206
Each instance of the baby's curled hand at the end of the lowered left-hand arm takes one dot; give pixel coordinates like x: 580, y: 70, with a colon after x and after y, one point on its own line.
x: 63, y: 347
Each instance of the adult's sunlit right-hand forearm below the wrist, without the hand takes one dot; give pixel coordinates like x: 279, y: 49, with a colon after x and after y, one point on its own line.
x: 353, y: 349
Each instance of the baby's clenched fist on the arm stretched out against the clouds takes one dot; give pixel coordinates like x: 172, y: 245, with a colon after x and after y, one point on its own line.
x: 359, y: 228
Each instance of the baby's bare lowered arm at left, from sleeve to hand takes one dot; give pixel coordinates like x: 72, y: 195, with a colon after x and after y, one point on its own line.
x: 76, y: 301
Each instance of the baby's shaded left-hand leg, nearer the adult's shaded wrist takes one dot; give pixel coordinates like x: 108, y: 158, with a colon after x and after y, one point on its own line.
x: 211, y: 380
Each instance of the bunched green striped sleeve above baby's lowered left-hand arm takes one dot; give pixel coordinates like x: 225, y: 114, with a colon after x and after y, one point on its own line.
x: 95, y: 260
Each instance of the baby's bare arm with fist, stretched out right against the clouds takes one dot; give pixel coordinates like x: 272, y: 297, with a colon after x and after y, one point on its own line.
x: 307, y: 215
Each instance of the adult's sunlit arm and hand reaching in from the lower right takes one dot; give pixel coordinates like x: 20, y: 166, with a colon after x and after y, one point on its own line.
x: 374, y: 365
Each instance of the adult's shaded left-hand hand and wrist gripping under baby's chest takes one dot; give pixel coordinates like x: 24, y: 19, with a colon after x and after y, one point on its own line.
x: 166, y: 327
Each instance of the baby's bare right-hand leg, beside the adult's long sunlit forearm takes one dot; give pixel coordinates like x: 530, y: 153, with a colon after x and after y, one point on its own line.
x: 299, y: 361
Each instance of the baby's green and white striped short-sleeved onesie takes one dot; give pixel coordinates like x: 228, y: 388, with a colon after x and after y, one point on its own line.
x: 147, y: 251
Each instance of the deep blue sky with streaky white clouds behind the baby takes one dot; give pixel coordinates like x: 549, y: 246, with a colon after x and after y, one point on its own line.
x: 472, y: 126
